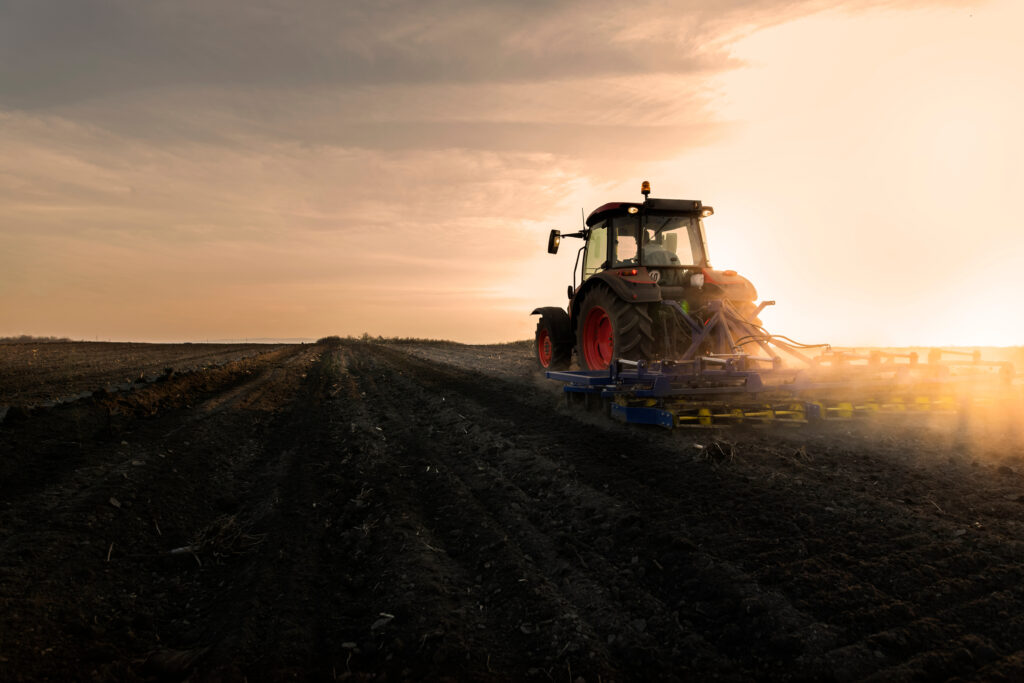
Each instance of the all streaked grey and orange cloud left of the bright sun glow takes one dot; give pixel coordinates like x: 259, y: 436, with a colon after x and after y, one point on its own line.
x: 357, y: 159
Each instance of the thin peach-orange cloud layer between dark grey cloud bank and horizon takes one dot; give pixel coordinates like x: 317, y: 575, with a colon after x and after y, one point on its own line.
x: 99, y: 233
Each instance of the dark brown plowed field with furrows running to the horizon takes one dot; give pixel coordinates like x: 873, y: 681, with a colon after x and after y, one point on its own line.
x: 433, y: 511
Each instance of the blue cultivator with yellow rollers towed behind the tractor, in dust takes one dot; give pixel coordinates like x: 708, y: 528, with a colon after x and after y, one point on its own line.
x: 718, y: 390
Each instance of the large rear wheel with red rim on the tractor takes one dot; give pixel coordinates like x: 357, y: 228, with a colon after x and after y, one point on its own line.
x: 610, y: 328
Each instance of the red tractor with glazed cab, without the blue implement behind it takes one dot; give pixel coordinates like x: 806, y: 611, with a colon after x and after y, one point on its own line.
x: 647, y: 290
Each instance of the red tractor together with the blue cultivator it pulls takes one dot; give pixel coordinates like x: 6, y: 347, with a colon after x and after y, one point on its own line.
x: 664, y: 339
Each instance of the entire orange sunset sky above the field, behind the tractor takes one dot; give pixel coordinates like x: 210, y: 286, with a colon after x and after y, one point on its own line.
x: 193, y: 170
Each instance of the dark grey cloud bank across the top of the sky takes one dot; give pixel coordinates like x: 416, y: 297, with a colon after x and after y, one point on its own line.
x: 581, y: 79
